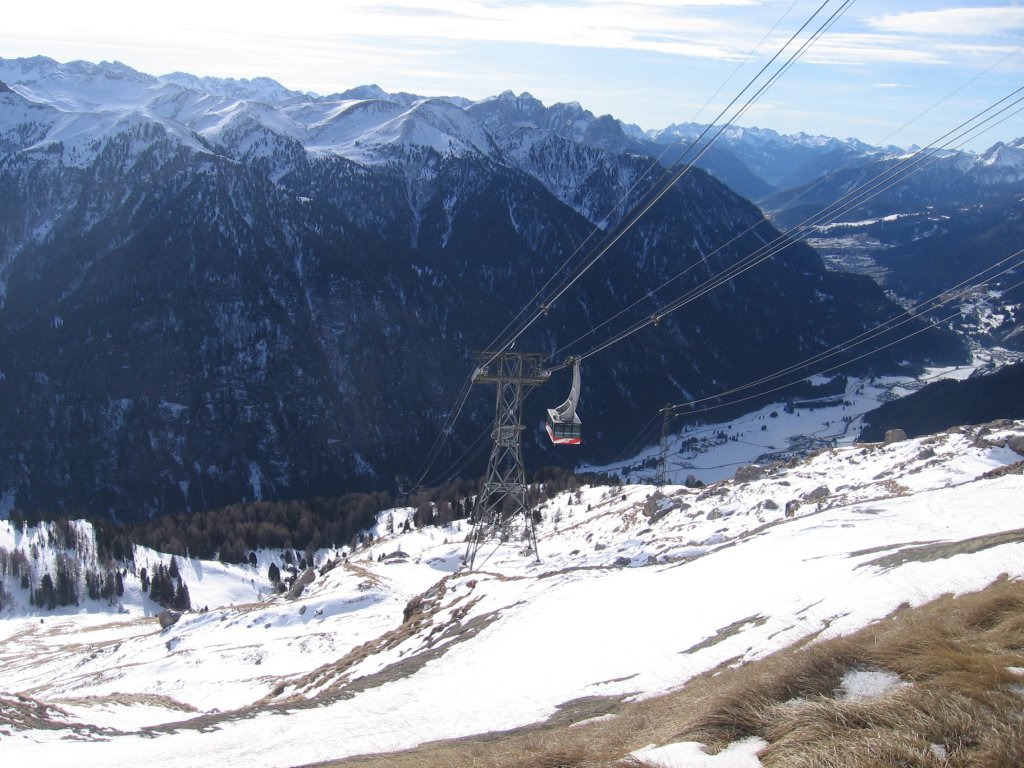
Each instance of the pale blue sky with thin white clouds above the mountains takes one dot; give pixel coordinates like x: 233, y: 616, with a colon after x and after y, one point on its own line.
x: 887, y: 73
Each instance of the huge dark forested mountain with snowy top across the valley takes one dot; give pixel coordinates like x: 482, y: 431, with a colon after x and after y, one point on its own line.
x: 215, y: 291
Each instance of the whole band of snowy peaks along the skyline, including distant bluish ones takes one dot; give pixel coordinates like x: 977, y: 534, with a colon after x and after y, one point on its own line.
x: 365, y: 123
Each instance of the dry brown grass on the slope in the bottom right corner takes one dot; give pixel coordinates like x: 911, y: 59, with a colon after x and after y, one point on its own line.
x: 957, y: 710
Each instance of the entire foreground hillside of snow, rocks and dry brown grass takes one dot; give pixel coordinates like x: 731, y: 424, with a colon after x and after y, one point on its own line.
x: 638, y: 593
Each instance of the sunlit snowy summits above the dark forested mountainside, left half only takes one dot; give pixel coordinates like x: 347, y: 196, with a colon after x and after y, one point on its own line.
x: 95, y: 101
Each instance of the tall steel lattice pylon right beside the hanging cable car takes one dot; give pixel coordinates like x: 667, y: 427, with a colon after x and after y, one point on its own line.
x: 502, y: 510
